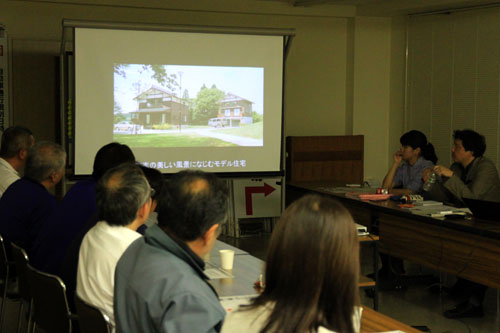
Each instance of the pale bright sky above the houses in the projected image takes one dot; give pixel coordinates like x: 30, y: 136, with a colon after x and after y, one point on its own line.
x: 132, y: 79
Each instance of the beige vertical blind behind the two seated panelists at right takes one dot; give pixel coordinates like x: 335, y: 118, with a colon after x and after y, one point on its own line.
x: 454, y: 78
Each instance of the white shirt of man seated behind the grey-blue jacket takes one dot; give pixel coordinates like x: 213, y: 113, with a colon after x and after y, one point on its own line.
x: 100, y: 251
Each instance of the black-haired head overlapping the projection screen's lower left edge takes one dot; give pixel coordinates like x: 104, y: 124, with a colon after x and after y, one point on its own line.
x: 109, y: 156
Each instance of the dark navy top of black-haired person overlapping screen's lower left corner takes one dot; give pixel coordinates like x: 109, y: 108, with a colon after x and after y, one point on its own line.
x: 58, y: 232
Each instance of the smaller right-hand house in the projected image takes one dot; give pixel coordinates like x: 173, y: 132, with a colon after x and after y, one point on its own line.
x: 237, y: 110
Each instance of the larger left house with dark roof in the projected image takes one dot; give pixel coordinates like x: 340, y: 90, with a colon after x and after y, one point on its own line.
x: 157, y: 106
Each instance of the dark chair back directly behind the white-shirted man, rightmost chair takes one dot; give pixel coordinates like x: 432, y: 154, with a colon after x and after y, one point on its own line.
x: 90, y: 319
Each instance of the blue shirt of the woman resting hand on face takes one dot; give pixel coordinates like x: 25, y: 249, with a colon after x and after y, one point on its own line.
x: 410, y: 176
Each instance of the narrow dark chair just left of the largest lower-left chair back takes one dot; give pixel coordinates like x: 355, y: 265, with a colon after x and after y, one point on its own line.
x: 21, y: 261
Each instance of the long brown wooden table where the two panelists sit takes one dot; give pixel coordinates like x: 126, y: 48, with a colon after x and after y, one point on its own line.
x: 469, y: 249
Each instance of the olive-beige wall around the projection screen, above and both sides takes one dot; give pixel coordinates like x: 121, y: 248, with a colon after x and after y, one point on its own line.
x: 334, y: 84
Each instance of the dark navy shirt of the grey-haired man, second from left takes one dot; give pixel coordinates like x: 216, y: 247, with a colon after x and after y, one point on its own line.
x: 24, y: 207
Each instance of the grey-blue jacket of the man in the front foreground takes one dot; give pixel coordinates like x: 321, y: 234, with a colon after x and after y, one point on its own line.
x: 160, y: 287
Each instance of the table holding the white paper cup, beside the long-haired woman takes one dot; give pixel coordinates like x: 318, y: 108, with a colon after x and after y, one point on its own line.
x: 246, y: 270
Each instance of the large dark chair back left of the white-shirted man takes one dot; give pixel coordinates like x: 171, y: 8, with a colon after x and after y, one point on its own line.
x: 51, y: 312
